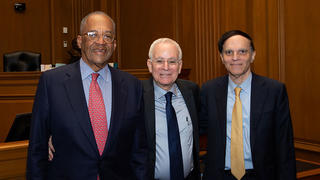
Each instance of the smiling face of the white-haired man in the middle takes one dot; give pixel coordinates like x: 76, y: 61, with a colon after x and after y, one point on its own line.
x: 165, y: 65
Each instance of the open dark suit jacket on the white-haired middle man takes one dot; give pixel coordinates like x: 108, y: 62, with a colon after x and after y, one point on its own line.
x: 190, y: 93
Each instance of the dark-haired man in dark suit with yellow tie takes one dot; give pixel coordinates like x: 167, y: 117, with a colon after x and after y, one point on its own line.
x: 265, y: 138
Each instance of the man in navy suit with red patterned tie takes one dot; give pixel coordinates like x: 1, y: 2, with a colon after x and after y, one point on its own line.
x: 93, y: 112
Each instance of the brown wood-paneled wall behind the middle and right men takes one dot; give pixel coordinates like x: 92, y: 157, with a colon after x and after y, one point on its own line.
x: 284, y: 33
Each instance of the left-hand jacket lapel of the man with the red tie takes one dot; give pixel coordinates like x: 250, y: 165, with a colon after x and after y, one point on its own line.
x: 74, y: 88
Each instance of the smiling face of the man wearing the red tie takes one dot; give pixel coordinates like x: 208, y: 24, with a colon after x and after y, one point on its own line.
x: 96, y: 53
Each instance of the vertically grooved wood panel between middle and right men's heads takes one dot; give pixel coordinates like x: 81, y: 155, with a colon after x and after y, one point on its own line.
x: 206, y: 24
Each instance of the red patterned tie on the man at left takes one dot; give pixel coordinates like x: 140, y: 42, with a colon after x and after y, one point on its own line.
x: 97, y: 113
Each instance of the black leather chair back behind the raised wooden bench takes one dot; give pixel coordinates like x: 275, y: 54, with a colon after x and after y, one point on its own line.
x: 21, y: 61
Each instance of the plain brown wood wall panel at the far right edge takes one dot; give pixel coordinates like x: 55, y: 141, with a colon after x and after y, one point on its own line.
x: 301, y: 67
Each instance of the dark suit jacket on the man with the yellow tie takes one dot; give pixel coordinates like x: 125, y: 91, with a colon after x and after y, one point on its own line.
x: 271, y: 136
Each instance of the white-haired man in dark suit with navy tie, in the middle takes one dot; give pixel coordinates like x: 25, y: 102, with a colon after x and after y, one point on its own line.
x: 165, y: 64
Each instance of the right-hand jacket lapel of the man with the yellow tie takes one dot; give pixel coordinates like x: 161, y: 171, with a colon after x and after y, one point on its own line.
x: 258, y: 97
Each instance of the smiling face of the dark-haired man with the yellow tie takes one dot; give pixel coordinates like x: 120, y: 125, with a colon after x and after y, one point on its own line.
x: 237, y: 56
